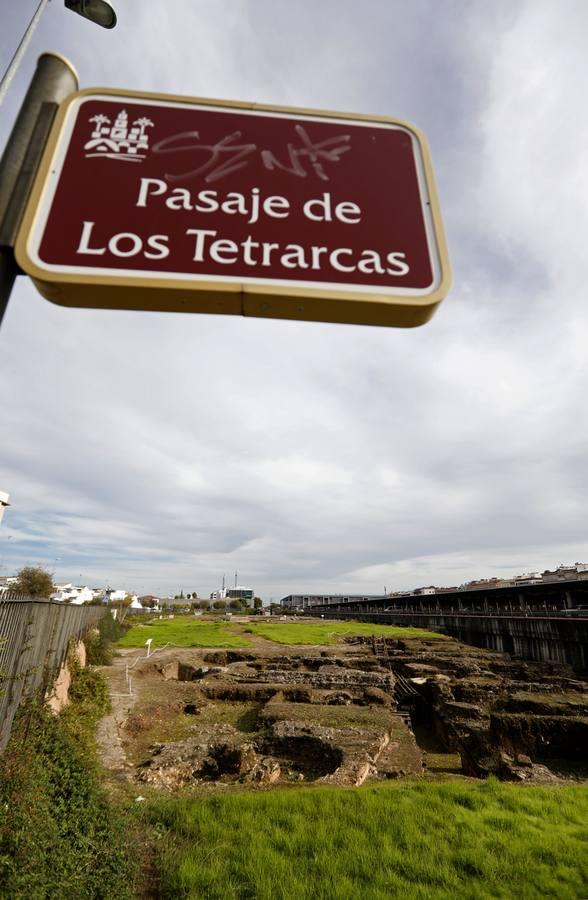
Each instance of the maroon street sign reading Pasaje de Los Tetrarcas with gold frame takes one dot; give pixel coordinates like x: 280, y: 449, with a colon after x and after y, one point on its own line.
x: 153, y: 202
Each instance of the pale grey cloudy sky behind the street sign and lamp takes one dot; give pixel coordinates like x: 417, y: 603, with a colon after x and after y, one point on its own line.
x: 157, y: 452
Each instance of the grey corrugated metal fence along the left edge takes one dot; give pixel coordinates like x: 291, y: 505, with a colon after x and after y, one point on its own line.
x: 34, y: 640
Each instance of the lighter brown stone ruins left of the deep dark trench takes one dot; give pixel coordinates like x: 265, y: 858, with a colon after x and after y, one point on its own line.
x: 320, y: 719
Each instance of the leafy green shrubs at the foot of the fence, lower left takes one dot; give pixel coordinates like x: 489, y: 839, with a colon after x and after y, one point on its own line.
x: 59, y: 835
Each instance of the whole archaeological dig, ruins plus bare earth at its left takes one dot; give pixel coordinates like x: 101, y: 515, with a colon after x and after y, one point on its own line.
x: 362, y: 710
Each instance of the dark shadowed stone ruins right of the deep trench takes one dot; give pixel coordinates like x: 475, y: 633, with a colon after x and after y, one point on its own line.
x: 520, y: 721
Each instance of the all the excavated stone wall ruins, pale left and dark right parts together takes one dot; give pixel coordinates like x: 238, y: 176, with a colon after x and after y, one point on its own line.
x: 345, y: 716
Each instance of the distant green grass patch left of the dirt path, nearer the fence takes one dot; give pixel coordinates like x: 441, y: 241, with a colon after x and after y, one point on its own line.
x: 183, y: 632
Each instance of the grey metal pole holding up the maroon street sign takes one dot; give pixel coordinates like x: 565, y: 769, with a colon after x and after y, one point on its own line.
x: 54, y: 79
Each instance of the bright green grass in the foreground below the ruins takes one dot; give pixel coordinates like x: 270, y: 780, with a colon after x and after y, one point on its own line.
x: 415, y: 840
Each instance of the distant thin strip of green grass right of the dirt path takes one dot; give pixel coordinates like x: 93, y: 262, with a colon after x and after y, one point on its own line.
x: 330, y: 632
